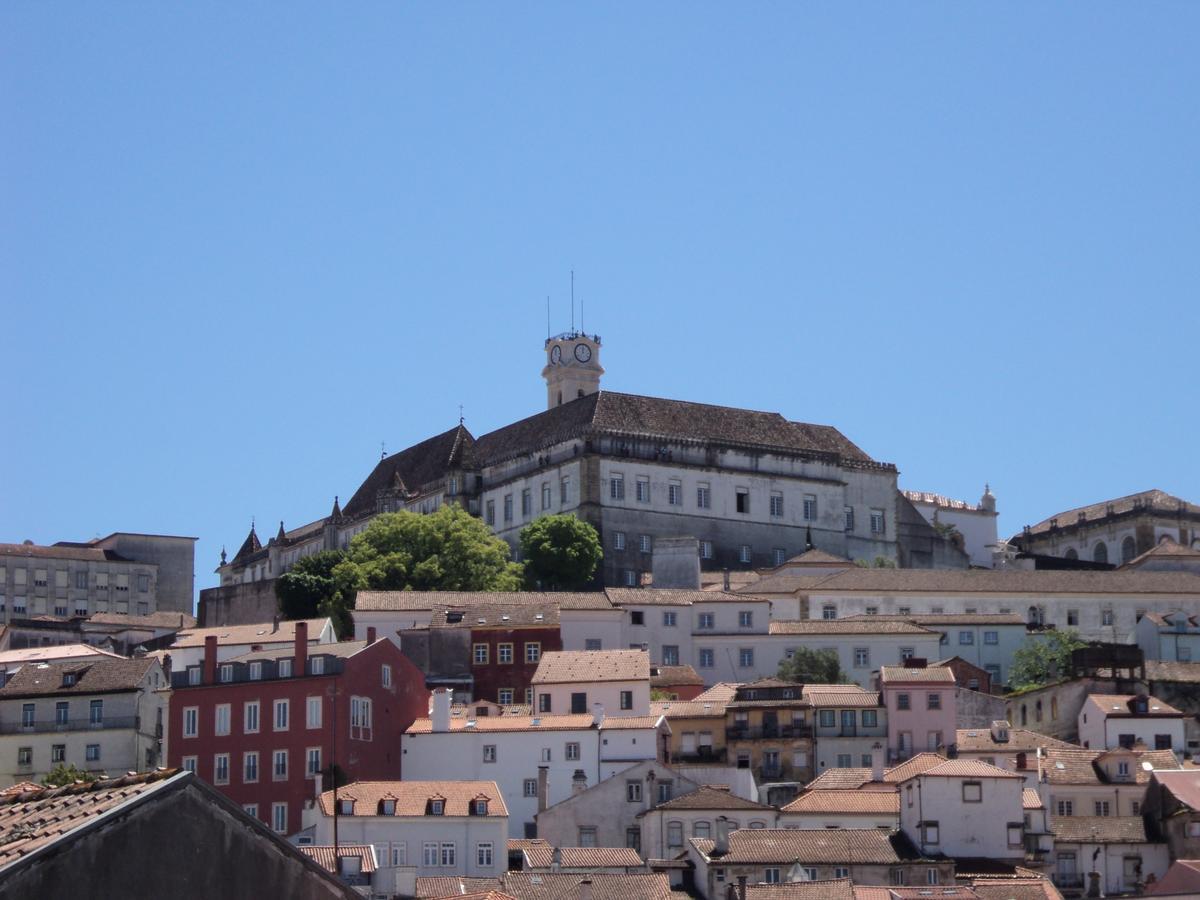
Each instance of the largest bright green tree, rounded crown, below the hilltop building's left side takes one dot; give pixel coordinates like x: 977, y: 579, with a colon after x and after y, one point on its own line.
x: 448, y: 550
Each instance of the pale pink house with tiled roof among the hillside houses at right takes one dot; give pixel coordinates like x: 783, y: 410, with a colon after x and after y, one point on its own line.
x: 921, y: 709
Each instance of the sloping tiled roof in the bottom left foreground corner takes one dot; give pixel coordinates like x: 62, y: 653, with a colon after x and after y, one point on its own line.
x: 31, y: 821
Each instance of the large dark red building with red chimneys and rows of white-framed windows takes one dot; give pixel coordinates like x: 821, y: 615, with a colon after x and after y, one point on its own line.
x: 260, y: 727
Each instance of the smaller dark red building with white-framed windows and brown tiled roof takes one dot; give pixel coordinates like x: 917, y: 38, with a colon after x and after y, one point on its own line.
x: 506, y: 646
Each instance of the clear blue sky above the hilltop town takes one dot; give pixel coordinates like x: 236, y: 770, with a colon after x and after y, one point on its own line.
x: 244, y: 244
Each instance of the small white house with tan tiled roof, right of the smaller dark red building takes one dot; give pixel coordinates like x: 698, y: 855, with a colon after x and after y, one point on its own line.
x: 578, y: 681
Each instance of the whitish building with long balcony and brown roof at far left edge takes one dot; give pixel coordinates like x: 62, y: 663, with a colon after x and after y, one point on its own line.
x: 95, y: 715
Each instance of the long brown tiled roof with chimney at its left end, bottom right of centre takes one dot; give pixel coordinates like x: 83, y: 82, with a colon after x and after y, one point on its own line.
x: 830, y: 847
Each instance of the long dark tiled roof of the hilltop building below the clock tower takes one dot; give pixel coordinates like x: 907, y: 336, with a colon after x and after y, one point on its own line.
x: 653, y: 418
